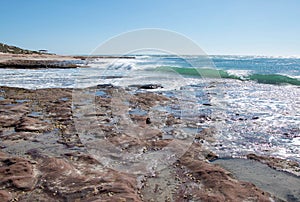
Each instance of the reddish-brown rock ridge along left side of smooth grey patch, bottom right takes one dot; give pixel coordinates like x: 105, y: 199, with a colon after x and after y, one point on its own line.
x: 219, y: 183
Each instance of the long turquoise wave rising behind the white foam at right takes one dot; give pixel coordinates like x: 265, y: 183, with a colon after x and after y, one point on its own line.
x: 215, y: 73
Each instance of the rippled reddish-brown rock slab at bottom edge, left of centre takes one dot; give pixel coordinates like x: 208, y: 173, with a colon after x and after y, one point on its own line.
x: 69, y: 183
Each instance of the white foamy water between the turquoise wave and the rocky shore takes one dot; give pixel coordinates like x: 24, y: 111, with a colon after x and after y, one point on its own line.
x: 235, y: 103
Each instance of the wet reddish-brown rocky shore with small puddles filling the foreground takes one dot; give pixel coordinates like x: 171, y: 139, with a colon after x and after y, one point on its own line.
x: 44, y: 157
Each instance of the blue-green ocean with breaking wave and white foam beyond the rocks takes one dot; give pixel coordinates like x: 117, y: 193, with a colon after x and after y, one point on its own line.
x: 253, y: 102
